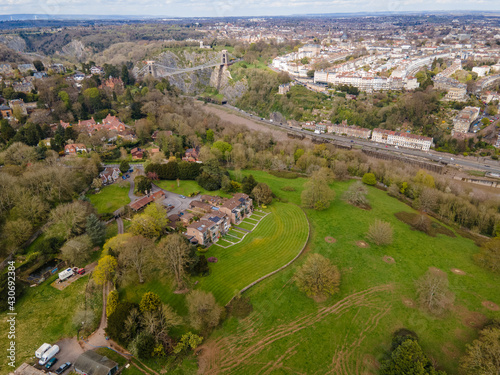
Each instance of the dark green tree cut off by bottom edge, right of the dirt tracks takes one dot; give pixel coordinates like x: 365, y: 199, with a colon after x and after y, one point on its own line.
x: 408, y: 358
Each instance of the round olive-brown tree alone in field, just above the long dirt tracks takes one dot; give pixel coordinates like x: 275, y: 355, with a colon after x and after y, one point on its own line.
x: 317, y: 277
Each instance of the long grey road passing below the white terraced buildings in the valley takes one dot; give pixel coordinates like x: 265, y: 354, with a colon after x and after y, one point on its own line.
x: 482, y: 164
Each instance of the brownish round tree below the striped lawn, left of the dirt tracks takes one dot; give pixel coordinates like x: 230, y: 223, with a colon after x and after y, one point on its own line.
x: 204, y: 312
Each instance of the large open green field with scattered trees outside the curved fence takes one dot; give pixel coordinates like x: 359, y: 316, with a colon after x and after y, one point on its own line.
x: 363, y: 327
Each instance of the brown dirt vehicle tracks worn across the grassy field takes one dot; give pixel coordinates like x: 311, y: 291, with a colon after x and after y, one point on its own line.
x: 229, y: 354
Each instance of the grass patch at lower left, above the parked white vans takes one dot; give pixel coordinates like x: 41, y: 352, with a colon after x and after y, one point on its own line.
x: 44, y: 314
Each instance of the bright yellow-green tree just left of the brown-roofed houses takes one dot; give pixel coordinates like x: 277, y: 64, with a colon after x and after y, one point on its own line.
x: 151, y: 223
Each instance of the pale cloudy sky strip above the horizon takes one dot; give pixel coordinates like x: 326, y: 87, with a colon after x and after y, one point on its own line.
x: 220, y: 8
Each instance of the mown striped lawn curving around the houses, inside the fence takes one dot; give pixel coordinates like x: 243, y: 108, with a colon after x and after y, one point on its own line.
x: 276, y: 241
